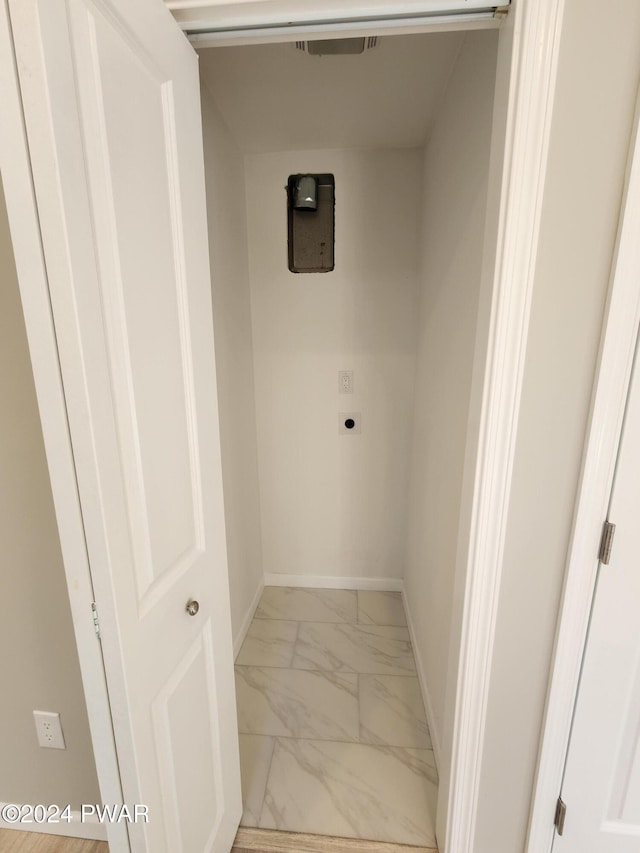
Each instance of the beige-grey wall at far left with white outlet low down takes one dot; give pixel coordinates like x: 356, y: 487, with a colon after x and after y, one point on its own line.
x: 40, y: 669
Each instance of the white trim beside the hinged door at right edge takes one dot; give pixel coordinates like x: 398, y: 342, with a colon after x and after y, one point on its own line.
x: 607, y: 413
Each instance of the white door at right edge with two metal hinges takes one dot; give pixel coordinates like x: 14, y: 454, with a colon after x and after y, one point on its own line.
x: 601, y: 787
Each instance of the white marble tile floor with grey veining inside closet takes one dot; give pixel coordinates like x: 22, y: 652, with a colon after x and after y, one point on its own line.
x: 333, y: 733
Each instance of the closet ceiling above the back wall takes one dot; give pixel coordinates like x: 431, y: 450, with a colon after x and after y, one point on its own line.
x: 275, y: 97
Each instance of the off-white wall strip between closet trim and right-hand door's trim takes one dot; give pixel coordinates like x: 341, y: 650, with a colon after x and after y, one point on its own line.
x: 598, y: 74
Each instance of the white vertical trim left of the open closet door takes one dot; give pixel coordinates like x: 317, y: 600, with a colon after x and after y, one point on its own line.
x: 25, y: 234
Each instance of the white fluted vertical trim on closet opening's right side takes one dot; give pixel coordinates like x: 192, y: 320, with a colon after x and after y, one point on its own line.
x: 536, y: 29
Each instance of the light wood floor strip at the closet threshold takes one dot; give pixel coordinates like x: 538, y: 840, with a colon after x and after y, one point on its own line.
x: 272, y: 841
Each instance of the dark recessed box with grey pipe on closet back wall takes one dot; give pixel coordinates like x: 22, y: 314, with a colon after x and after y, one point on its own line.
x: 311, y: 222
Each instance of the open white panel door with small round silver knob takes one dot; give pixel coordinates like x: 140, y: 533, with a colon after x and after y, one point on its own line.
x: 111, y: 97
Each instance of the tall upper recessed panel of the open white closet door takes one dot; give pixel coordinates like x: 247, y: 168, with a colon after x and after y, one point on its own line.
x: 143, y: 283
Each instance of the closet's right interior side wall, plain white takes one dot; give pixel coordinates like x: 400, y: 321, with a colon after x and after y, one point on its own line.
x: 455, y: 192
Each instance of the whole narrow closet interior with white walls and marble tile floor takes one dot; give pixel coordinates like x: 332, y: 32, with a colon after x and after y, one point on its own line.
x: 342, y: 544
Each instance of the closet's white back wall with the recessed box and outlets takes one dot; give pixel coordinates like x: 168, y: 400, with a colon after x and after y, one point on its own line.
x: 332, y: 505
